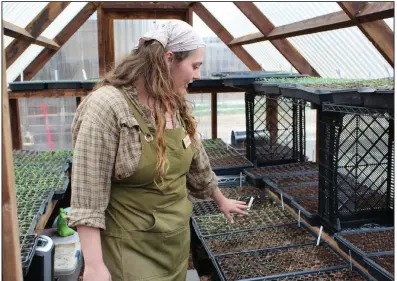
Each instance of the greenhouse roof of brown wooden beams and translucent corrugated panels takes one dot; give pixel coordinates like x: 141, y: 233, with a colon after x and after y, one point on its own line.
x: 328, y: 39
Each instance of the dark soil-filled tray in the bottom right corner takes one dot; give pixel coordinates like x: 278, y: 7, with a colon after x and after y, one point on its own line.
x: 381, y: 266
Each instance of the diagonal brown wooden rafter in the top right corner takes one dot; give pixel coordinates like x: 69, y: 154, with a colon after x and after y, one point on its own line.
x: 377, y: 32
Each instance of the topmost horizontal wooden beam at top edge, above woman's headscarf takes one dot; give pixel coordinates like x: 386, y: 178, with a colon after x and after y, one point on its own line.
x: 135, y: 6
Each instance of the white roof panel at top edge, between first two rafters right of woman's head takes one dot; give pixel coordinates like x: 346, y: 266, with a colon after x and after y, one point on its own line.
x: 231, y: 18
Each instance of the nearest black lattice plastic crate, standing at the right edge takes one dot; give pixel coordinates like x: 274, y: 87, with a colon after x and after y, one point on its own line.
x: 356, y: 166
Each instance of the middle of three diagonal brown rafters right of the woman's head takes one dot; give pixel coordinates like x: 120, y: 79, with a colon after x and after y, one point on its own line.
x: 291, y: 54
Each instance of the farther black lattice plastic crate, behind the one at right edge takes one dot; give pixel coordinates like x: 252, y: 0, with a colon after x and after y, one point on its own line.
x: 280, y: 123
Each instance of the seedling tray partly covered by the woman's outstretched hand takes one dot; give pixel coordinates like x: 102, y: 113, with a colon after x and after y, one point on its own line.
x: 209, y: 207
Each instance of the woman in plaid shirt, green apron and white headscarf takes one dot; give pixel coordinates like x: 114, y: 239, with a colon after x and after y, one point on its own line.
x: 136, y: 152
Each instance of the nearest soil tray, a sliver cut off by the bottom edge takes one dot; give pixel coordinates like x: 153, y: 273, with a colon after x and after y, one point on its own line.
x: 345, y: 274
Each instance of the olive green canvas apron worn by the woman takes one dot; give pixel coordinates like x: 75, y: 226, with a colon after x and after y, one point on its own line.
x: 147, y: 234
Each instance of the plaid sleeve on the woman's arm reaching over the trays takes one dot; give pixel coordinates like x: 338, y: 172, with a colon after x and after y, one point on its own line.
x: 201, y: 180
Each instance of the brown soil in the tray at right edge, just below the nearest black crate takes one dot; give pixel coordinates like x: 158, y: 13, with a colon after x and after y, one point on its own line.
x: 372, y: 241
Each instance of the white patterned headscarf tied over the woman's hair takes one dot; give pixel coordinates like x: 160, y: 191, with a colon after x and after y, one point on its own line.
x: 175, y: 36
